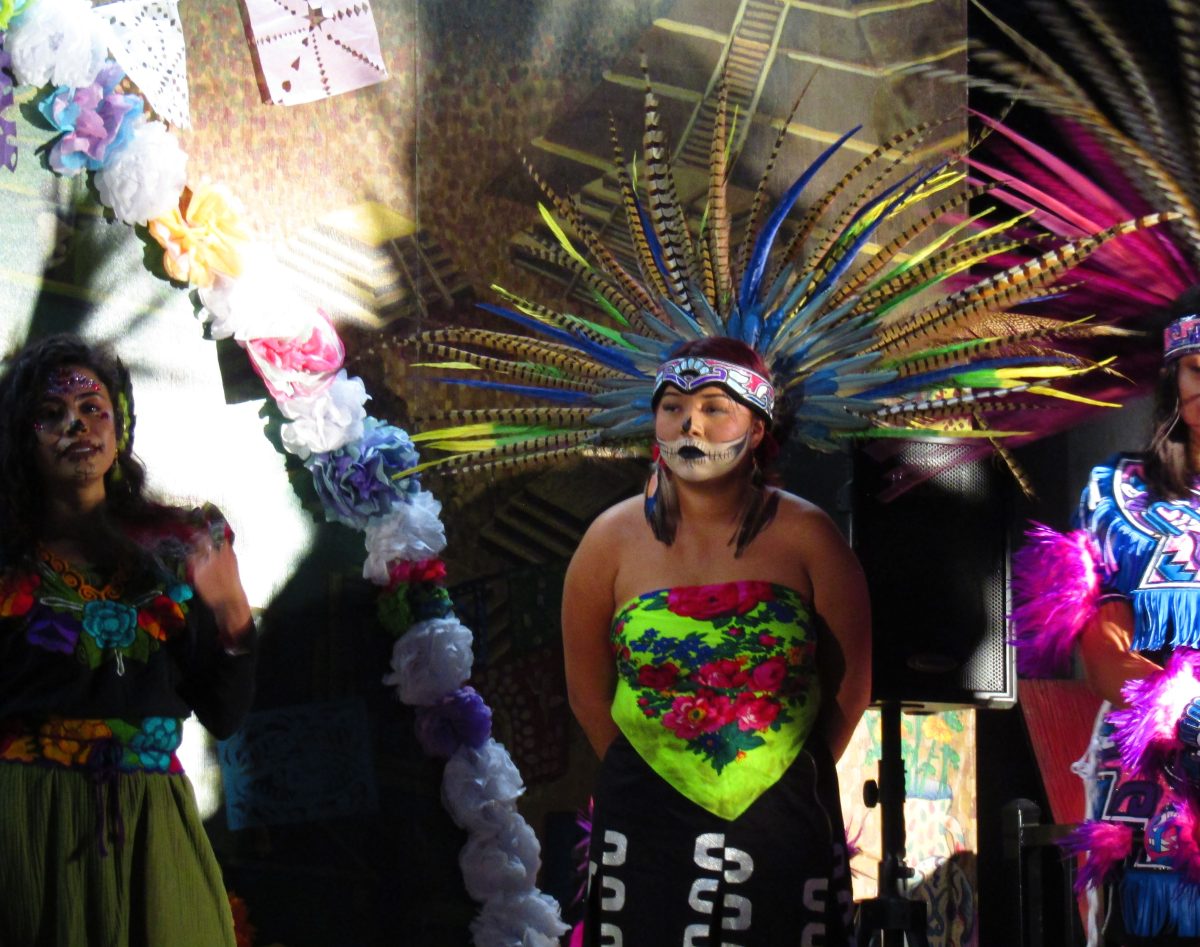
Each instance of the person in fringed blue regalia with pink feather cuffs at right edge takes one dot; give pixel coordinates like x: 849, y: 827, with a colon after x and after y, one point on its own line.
x: 1123, y: 594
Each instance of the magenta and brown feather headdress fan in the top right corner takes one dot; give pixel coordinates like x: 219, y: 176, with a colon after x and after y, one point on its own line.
x: 1126, y: 127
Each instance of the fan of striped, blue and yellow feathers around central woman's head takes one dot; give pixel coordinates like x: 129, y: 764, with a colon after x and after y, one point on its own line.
x: 857, y: 298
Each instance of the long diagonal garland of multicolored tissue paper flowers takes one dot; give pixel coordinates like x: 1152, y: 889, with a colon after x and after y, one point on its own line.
x: 140, y: 172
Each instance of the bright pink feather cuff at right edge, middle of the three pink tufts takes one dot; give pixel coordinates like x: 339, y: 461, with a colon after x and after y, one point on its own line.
x: 1145, y: 732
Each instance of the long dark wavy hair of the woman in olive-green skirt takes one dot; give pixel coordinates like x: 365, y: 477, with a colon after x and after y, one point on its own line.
x: 22, y: 493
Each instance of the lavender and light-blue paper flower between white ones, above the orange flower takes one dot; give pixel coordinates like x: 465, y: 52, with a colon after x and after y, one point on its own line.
x: 95, y: 121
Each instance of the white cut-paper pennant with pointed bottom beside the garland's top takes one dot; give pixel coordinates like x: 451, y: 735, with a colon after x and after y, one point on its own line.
x: 147, y: 39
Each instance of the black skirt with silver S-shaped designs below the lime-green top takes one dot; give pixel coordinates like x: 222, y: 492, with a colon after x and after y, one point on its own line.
x: 662, y: 871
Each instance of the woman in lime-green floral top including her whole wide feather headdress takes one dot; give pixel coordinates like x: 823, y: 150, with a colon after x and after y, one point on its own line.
x: 716, y: 630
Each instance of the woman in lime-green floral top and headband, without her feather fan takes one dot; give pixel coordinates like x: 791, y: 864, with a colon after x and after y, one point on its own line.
x: 740, y: 625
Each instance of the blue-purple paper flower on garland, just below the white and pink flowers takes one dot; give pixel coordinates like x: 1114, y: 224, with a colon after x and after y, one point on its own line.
x: 356, y: 482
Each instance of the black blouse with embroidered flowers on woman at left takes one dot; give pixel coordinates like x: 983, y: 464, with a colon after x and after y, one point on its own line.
x: 133, y: 646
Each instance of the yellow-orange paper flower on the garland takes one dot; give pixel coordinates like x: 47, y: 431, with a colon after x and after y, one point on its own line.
x: 202, y: 238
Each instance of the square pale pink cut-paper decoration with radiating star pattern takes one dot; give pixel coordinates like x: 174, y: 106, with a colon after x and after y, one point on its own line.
x: 310, y: 50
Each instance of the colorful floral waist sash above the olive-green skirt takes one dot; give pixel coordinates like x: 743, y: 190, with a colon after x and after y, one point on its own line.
x: 101, y: 748
